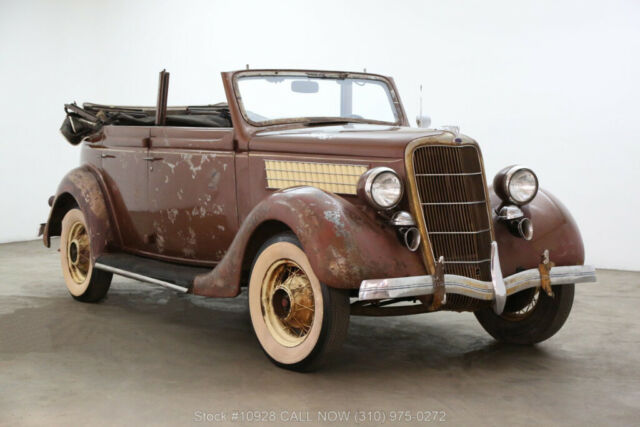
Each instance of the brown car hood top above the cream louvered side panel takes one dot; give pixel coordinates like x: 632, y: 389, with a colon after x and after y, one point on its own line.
x: 350, y: 139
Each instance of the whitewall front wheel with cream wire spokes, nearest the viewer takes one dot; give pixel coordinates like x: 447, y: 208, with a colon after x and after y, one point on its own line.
x: 299, y: 322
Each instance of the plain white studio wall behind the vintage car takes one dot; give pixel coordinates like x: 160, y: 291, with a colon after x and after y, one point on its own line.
x: 551, y: 84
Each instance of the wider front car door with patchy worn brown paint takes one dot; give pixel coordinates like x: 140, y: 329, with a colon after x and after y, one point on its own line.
x: 192, y: 193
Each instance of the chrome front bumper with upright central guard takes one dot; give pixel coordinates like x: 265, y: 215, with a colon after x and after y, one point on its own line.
x: 497, y: 290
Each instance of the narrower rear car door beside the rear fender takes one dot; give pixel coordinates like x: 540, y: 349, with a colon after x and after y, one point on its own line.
x: 124, y: 159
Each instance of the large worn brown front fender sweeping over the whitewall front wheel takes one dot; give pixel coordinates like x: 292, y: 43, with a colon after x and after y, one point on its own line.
x: 344, y: 244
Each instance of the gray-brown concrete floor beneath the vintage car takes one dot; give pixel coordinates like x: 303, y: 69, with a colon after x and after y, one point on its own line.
x: 147, y: 355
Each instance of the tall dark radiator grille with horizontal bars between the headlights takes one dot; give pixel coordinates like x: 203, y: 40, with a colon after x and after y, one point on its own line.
x: 450, y: 186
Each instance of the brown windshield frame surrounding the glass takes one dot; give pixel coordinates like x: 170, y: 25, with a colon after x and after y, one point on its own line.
x: 338, y: 75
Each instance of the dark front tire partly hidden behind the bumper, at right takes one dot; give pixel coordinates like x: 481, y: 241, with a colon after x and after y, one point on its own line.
x: 532, y: 321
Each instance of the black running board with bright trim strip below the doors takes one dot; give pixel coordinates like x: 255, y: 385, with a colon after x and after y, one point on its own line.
x: 172, y: 276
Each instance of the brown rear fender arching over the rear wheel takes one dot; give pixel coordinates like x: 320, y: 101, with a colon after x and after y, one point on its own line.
x: 81, y: 186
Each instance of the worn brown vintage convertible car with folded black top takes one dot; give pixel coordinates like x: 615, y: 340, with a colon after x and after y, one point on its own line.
x: 310, y: 189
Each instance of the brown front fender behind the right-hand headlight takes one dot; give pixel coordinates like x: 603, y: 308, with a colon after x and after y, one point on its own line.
x: 553, y: 228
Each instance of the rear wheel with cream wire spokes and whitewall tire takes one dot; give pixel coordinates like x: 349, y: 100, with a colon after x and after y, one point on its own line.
x: 83, y: 282
